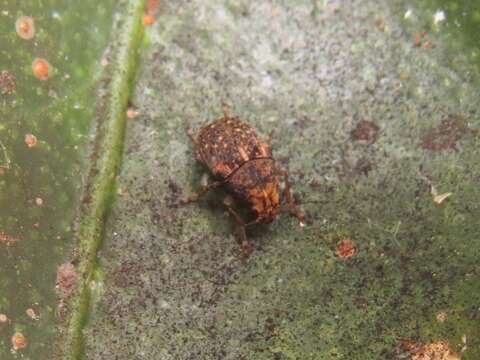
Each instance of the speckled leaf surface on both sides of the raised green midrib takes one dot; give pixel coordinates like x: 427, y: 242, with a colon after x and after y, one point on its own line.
x: 170, y: 282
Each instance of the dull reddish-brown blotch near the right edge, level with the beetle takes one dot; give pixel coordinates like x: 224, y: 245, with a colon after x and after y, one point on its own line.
x: 446, y: 135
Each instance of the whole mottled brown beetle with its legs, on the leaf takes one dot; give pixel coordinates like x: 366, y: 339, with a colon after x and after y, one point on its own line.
x: 242, y: 163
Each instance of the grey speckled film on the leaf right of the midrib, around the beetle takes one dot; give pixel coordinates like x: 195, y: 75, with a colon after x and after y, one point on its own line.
x: 171, y: 282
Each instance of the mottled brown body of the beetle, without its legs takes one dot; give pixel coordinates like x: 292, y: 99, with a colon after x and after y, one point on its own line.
x: 235, y: 155
